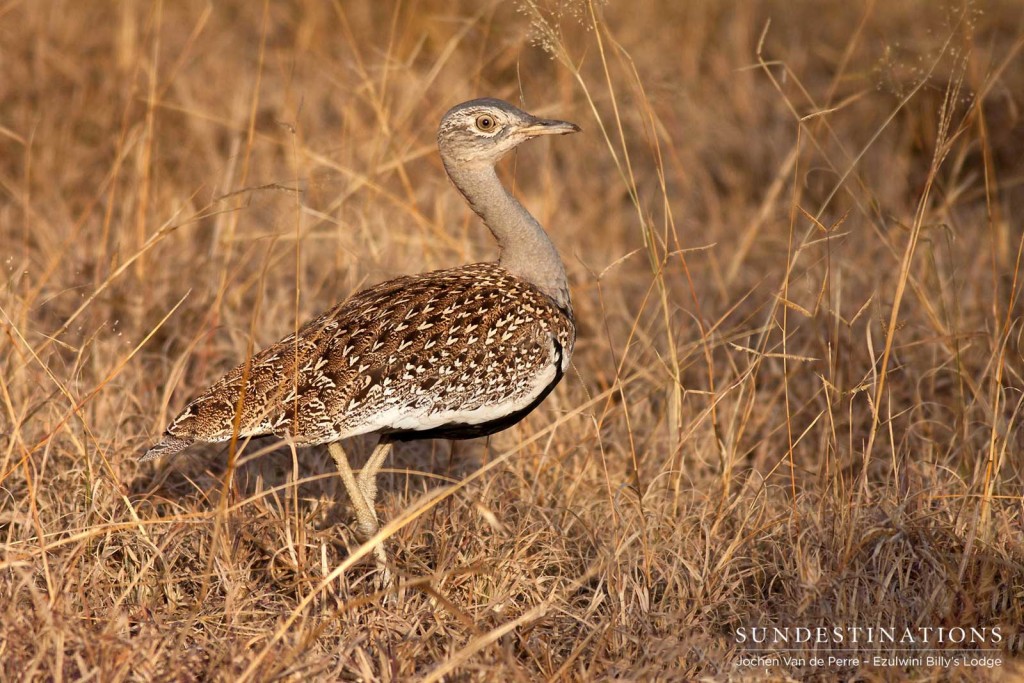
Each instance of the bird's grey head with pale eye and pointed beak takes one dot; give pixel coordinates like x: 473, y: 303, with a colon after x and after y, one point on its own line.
x: 485, y: 131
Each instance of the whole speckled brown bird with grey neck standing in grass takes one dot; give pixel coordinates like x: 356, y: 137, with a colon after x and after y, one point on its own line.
x: 455, y: 354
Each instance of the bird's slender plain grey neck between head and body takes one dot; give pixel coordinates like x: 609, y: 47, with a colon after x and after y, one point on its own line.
x: 526, y: 249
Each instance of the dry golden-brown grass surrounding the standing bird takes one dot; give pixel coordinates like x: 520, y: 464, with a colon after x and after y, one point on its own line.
x: 797, y: 399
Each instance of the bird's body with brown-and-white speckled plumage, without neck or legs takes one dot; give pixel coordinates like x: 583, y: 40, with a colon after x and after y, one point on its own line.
x: 457, y: 353
